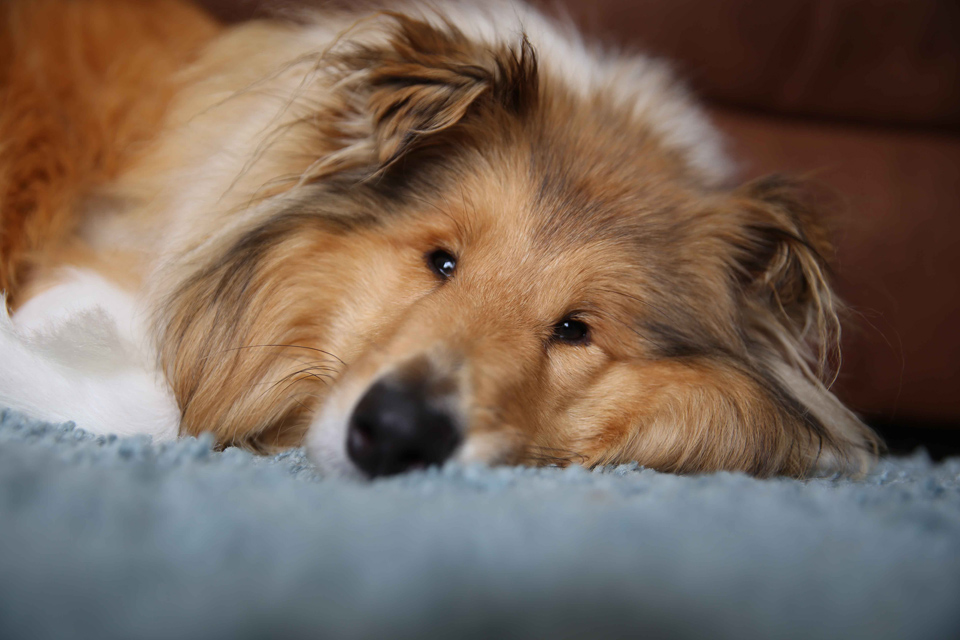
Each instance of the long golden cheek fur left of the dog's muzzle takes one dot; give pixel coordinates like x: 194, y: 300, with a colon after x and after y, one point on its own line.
x: 250, y: 348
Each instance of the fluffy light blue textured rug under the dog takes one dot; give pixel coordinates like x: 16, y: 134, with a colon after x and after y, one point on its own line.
x: 105, y: 537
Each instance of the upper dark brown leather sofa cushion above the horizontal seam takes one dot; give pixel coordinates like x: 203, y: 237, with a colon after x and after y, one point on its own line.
x: 896, y: 61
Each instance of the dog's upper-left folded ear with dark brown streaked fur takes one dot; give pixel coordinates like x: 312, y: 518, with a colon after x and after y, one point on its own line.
x: 398, y: 90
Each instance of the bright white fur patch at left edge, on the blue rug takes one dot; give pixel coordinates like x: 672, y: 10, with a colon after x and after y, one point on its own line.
x: 79, y: 351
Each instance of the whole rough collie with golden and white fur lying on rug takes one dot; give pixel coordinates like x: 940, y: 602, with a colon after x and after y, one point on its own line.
x: 399, y: 237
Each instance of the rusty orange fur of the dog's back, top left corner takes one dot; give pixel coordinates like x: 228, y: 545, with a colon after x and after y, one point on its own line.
x: 83, y: 85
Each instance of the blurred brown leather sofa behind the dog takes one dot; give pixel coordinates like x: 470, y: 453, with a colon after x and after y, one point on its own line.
x: 863, y: 96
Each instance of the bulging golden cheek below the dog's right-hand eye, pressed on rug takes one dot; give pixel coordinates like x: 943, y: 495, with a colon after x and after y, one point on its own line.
x: 694, y: 416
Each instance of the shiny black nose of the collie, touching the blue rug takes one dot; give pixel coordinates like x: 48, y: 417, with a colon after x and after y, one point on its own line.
x: 397, y: 427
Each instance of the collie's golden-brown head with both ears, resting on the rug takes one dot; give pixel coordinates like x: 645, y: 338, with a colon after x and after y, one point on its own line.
x: 489, y: 255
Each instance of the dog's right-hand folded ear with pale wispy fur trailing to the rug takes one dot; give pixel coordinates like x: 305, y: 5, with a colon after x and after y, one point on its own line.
x: 791, y: 314
